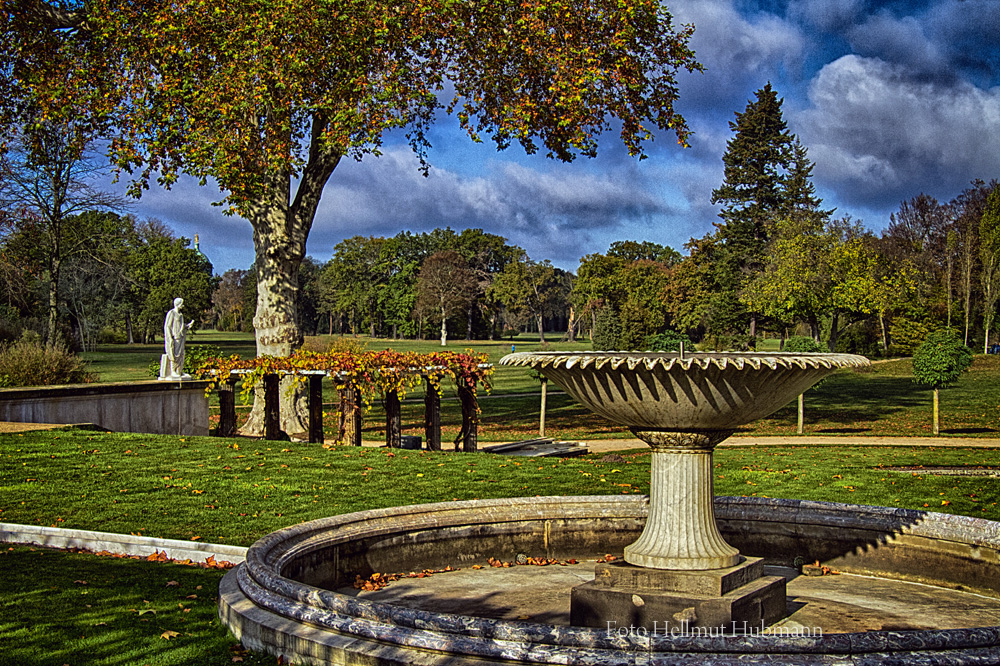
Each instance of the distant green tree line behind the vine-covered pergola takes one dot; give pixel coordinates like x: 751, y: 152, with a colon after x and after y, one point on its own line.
x: 468, y: 284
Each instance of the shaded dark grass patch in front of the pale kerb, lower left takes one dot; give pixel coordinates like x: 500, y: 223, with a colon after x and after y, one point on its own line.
x: 72, y: 608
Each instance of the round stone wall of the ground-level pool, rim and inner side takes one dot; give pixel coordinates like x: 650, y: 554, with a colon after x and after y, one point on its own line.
x: 283, y: 598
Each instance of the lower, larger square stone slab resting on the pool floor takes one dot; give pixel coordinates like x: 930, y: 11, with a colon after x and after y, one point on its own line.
x: 761, y: 601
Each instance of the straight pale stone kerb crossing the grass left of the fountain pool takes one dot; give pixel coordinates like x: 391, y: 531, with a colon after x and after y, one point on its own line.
x: 119, y: 544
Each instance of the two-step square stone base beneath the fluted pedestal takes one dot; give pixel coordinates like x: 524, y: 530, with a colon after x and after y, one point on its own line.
x: 624, y: 595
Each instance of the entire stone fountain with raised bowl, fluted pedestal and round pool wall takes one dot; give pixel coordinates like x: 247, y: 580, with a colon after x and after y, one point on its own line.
x: 291, y: 597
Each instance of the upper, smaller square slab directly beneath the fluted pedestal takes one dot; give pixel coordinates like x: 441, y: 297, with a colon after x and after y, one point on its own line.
x: 714, y: 582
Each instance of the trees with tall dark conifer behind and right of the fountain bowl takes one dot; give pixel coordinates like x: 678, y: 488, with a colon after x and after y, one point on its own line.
x: 778, y: 264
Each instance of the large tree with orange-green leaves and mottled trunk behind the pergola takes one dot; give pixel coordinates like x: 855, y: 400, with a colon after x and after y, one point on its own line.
x: 265, y: 99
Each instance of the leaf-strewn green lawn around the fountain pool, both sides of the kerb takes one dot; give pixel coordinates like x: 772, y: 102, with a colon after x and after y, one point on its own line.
x: 58, y: 608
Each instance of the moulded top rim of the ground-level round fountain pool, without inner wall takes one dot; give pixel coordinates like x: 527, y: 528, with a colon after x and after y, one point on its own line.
x: 479, y: 637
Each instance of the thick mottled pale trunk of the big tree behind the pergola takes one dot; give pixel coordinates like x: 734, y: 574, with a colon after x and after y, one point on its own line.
x: 280, y: 229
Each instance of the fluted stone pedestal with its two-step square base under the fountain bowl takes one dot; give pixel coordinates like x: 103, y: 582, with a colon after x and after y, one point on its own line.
x: 680, y: 574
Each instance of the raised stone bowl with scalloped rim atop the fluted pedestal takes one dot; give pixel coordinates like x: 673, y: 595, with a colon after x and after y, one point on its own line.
x: 695, y: 392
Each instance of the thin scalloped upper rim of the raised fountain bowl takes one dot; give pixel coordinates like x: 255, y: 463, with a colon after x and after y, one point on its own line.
x: 703, y: 360
